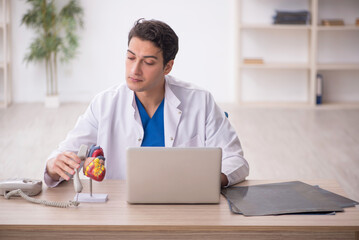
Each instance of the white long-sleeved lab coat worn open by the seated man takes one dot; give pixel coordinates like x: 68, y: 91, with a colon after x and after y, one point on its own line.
x: 191, y: 119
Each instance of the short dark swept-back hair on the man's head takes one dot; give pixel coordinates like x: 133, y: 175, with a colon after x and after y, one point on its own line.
x: 159, y: 33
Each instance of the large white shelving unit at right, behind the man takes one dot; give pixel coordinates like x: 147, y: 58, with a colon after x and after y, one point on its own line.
x: 301, y: 48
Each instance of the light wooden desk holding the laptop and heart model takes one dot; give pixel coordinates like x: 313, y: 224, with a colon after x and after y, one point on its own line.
x: 118, y: 219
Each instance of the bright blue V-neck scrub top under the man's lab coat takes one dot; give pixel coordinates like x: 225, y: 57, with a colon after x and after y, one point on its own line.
x: 154, y: 133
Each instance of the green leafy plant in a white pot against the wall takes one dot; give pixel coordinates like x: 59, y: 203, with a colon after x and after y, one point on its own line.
x: 55, y: 39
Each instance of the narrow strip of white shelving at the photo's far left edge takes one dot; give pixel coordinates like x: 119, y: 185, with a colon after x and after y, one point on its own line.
x: 5, y: 78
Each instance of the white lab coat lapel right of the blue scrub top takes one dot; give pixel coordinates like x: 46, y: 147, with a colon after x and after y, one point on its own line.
x: 172, y: 115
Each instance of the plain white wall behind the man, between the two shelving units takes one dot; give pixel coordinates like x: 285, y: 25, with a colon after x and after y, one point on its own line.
x: 205, y: 29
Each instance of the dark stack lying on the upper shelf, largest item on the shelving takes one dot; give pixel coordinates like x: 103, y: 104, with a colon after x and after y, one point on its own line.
x: 291, y: 17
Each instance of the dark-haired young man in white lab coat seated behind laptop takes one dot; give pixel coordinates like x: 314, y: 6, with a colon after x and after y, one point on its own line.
x: 151, y: 109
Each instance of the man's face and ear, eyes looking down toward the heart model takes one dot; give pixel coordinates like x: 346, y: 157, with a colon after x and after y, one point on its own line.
x: 144, y: 67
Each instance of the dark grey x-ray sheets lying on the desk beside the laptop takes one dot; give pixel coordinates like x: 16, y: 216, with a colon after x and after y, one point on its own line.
x: 283, y: 198
